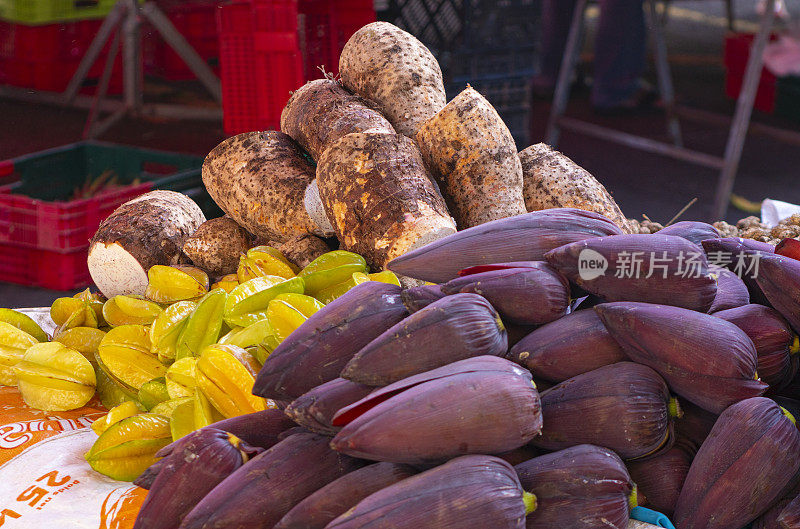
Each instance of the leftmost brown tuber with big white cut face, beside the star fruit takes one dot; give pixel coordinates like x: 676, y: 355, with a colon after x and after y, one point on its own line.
x: 148, y: 230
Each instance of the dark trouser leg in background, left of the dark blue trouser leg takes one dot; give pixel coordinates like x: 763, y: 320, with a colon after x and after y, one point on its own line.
x: 556, y: 19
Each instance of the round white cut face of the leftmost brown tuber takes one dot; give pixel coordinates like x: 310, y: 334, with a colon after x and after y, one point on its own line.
x: 115, y: 271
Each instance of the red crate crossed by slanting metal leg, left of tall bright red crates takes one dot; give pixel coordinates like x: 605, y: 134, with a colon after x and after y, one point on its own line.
x: 196, y: 21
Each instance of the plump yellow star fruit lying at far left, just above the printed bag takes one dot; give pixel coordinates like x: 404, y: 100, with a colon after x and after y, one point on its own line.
x: 54, y: 377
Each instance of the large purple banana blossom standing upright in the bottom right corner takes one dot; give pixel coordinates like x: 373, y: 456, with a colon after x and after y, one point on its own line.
x: 748, y: 459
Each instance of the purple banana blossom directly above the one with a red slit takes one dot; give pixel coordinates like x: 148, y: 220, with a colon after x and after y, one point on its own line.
x: 454, y: 328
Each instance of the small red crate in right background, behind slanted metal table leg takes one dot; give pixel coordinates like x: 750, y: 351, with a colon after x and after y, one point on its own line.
x: 736, y: 55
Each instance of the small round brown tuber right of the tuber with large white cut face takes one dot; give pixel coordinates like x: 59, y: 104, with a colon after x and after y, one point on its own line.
x: 216, y: 245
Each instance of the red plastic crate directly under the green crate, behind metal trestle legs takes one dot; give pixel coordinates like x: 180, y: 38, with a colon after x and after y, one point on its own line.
x: 46, y: 57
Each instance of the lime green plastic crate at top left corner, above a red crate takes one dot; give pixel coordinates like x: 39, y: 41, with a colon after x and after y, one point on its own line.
x: 50, y: 11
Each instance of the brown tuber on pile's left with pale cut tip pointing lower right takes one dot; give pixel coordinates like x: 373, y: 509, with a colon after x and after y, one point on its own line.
x: 265, y: 182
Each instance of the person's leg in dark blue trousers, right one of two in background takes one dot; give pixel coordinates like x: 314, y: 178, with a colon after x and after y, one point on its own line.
x: 620, y: 50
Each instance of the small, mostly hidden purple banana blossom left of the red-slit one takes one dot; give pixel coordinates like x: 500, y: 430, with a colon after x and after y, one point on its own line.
x: 315, y: 410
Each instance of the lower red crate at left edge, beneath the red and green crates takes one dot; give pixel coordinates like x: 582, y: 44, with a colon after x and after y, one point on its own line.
x: 43, y: 268
